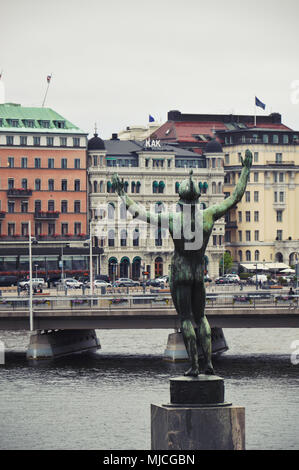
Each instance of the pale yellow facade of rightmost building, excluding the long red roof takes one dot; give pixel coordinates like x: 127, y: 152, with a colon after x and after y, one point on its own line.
x: 264, y: 226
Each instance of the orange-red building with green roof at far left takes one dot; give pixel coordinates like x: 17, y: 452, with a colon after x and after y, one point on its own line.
x: 43, y: 182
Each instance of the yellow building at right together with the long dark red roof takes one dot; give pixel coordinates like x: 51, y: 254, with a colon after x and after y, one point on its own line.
x: 263, y: 227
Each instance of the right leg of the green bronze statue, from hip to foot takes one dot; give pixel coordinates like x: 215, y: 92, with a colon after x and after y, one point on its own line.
x: 204, y: 329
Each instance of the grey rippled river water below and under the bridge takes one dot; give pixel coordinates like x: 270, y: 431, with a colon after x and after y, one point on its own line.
x: 102, y: 400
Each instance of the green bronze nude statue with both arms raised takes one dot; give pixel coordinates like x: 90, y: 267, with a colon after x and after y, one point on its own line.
x: 187, y: 266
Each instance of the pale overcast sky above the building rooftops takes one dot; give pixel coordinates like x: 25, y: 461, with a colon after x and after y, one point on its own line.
x: 115, y: 61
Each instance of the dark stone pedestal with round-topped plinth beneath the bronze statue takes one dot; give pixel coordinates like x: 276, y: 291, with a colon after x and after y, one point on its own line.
x: 197, y: 417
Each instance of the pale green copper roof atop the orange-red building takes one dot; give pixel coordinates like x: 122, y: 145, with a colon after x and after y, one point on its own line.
x: 16, y: 117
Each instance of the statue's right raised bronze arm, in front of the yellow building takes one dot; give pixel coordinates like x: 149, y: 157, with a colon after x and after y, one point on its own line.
x: 219, y: 210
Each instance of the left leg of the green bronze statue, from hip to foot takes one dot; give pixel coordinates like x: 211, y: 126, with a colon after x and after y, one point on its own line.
x: 181, y: 295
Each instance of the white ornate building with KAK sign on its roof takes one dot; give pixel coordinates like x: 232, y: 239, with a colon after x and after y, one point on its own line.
x: 152, y: 173
